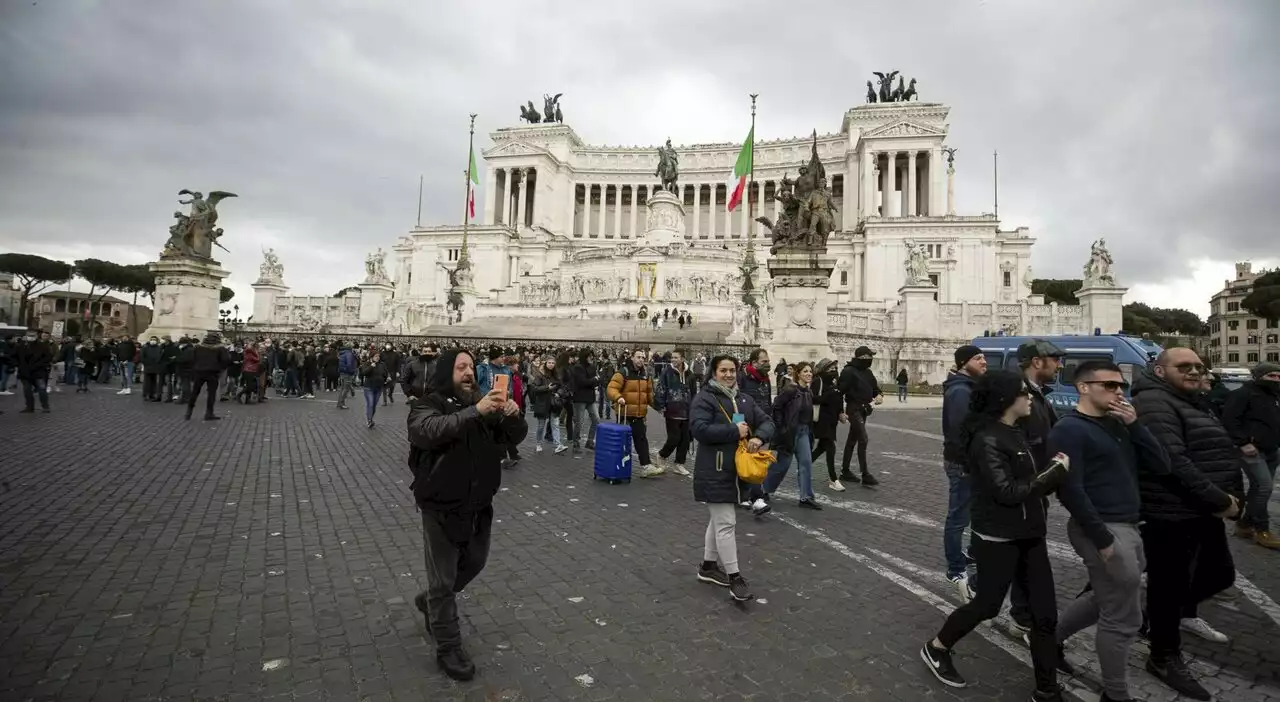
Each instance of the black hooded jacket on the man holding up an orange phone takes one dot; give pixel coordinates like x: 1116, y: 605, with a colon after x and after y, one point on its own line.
x: 455, y: 452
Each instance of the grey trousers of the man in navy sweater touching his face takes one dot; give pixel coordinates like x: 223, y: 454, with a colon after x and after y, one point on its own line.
x: 1114, y: 603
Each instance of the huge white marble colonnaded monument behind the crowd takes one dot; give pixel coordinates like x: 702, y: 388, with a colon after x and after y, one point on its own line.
x: 574, y: 231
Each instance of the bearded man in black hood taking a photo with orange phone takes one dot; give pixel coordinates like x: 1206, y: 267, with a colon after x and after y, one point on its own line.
x: 456, y: 439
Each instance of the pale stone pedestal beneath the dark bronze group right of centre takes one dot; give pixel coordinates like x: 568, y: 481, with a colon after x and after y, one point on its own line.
x: 801, y: 282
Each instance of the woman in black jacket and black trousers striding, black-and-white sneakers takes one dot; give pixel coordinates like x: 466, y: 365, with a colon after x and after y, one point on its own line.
x: 1008, y: 517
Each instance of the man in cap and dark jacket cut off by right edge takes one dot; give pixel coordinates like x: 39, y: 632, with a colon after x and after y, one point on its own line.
x: 1252, y: 417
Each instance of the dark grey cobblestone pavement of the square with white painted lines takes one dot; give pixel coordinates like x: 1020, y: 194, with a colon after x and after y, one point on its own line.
x: 275, y: 555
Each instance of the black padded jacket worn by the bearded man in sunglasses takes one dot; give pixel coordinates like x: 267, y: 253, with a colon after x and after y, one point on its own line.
x: 1206, y: 463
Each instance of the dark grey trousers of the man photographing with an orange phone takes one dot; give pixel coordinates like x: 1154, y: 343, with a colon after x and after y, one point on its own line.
x: 456, y: 549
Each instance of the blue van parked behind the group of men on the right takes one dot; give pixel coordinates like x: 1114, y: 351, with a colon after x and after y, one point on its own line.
x: 1130, y: 353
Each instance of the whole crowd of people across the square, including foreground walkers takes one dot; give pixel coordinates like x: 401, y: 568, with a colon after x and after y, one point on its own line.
x: 1146, y: 467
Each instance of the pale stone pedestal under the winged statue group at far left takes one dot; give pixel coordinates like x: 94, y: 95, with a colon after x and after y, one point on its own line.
x: 188, y: 298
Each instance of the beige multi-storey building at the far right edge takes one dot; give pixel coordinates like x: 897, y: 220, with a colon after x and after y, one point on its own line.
x: 1238, y: 339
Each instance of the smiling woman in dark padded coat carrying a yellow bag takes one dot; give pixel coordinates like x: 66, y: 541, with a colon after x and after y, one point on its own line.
x: 719, y: 418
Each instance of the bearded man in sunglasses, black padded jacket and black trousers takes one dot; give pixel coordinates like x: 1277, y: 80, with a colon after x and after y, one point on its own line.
x: 1188, y: 559
